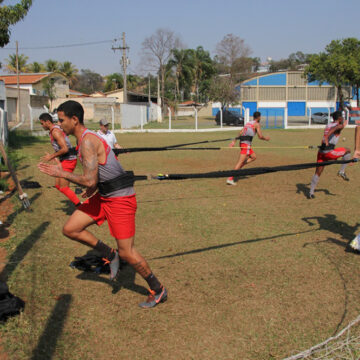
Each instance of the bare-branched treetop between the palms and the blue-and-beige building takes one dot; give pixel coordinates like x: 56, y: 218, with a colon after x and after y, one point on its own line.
x: 230, y: 50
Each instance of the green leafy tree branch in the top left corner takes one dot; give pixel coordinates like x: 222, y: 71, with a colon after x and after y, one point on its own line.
x: 10, y: 15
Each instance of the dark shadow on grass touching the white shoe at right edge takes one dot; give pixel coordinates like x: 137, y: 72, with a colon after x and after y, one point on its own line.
x: 329, y: 222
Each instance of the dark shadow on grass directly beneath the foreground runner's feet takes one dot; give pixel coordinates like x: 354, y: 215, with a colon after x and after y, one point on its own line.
x: 125, y: 279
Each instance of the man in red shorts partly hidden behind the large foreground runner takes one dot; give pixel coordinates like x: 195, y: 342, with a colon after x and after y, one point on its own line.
x: 61, y: 145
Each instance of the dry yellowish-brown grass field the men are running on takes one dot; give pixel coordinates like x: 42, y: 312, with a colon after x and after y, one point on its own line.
x: 253, y: 271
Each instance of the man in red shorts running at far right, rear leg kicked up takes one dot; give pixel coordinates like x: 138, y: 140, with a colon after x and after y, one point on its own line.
x: 328, y: 152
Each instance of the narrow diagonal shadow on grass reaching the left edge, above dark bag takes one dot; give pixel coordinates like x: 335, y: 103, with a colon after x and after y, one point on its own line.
x: 21, y: 250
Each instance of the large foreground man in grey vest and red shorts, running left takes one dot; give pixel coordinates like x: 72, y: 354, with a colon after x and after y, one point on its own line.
x: 111, y: 197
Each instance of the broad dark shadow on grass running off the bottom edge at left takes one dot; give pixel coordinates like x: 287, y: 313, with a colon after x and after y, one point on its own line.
x: 53, y: 329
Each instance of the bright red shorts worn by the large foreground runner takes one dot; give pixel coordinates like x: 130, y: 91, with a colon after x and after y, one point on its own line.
x: 118, y: 211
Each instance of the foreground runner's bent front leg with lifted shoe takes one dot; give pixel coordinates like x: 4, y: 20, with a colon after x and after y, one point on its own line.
x: 75, y: 229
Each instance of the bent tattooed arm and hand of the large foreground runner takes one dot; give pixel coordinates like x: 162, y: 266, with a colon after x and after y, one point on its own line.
x: 89, y: 178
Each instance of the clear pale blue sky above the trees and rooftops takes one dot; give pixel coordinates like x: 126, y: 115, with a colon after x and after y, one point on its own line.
x: 271, y: 28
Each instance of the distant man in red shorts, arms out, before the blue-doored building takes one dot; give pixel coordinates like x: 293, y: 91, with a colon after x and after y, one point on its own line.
x: 247, y: 154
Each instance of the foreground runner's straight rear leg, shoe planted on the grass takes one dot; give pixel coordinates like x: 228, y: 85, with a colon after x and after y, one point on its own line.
x: 128, y: 252
